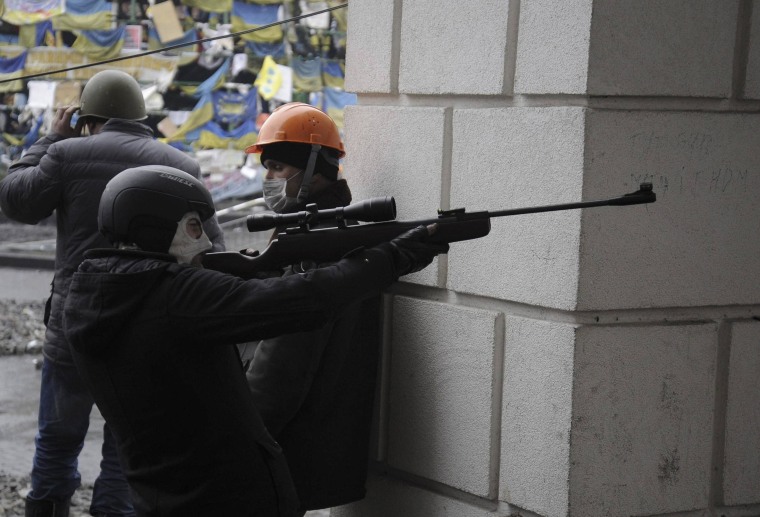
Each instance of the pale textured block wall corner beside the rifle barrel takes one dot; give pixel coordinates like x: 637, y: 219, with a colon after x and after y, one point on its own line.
x: 574, y: 363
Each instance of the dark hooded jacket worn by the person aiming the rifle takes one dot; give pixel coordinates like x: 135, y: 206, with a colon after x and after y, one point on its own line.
x: 154, y: 342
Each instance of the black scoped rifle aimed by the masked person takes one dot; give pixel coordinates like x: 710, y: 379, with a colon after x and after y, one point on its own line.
x: 300, y: 241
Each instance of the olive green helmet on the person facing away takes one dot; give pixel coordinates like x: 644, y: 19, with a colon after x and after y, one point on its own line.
x: 112, y: 94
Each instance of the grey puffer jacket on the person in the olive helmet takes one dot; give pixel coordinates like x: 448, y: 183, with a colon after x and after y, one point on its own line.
x: 68, y: 176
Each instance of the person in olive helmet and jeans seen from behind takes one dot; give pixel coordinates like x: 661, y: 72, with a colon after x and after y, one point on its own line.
x: 65, y: 173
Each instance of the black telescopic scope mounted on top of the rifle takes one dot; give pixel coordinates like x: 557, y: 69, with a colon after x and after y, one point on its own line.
x: 374, y: 210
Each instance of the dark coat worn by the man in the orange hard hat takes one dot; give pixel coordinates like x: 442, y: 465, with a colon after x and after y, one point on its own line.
x: 315, y: 391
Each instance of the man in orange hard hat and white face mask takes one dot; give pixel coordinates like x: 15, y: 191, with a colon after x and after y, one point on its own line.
x: 315, y: 390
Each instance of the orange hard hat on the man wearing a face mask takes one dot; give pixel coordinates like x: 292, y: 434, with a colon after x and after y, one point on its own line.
x: 299, y: 123
